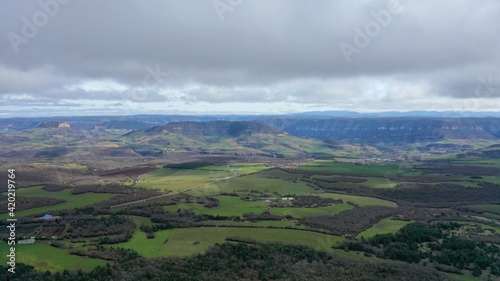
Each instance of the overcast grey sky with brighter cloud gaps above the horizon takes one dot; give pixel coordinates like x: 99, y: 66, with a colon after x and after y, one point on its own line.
x: 88, y: 57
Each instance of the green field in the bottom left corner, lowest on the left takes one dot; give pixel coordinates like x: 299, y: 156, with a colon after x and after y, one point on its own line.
x: 46, y: 257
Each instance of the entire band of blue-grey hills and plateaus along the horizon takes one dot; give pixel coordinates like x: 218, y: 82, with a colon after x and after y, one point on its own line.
x: 347, y: 127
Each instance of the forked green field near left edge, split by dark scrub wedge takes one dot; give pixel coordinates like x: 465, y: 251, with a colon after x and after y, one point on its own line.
x: 72, y: 201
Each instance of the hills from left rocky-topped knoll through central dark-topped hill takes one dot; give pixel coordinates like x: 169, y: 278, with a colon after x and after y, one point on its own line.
x: 230, y: 138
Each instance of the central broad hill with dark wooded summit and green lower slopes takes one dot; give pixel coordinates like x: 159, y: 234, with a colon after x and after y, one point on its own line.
x: 245, y: 138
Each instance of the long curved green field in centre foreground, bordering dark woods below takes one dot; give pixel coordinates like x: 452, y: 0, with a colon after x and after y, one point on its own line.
x: 182, y: 241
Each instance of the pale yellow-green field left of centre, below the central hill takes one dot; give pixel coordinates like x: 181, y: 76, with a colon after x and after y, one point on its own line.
x: 177, y: 180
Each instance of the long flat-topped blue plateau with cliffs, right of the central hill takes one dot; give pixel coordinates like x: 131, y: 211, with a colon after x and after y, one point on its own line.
x: 393, y: 130
